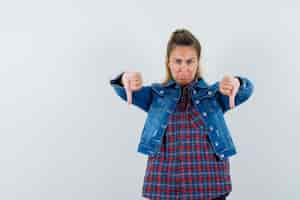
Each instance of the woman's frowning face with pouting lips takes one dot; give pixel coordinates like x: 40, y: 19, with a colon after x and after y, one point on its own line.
x: 183, y: 64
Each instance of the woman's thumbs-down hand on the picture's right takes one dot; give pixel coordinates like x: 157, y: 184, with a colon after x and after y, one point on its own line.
x: 229, y: 86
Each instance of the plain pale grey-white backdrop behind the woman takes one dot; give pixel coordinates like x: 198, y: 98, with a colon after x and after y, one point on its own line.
x: 65, y: 134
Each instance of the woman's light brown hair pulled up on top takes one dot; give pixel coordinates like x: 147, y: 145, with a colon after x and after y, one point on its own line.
x: 185, y: 38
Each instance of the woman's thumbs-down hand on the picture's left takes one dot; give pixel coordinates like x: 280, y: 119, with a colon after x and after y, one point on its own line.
x: 132, y: 81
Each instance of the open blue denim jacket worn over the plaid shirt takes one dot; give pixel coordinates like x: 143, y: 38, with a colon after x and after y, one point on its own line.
x: 159, y: 101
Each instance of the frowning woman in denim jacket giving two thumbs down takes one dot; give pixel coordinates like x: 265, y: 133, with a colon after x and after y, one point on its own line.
x: 185, y: 134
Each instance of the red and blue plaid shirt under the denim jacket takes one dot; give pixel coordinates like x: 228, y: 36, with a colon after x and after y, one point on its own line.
x: 186, y: 167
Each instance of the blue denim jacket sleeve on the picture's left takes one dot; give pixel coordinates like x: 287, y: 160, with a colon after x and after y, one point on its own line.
x: 141, y: 98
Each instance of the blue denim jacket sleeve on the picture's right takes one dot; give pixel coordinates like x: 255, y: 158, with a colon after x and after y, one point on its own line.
x: 244, y: 92
